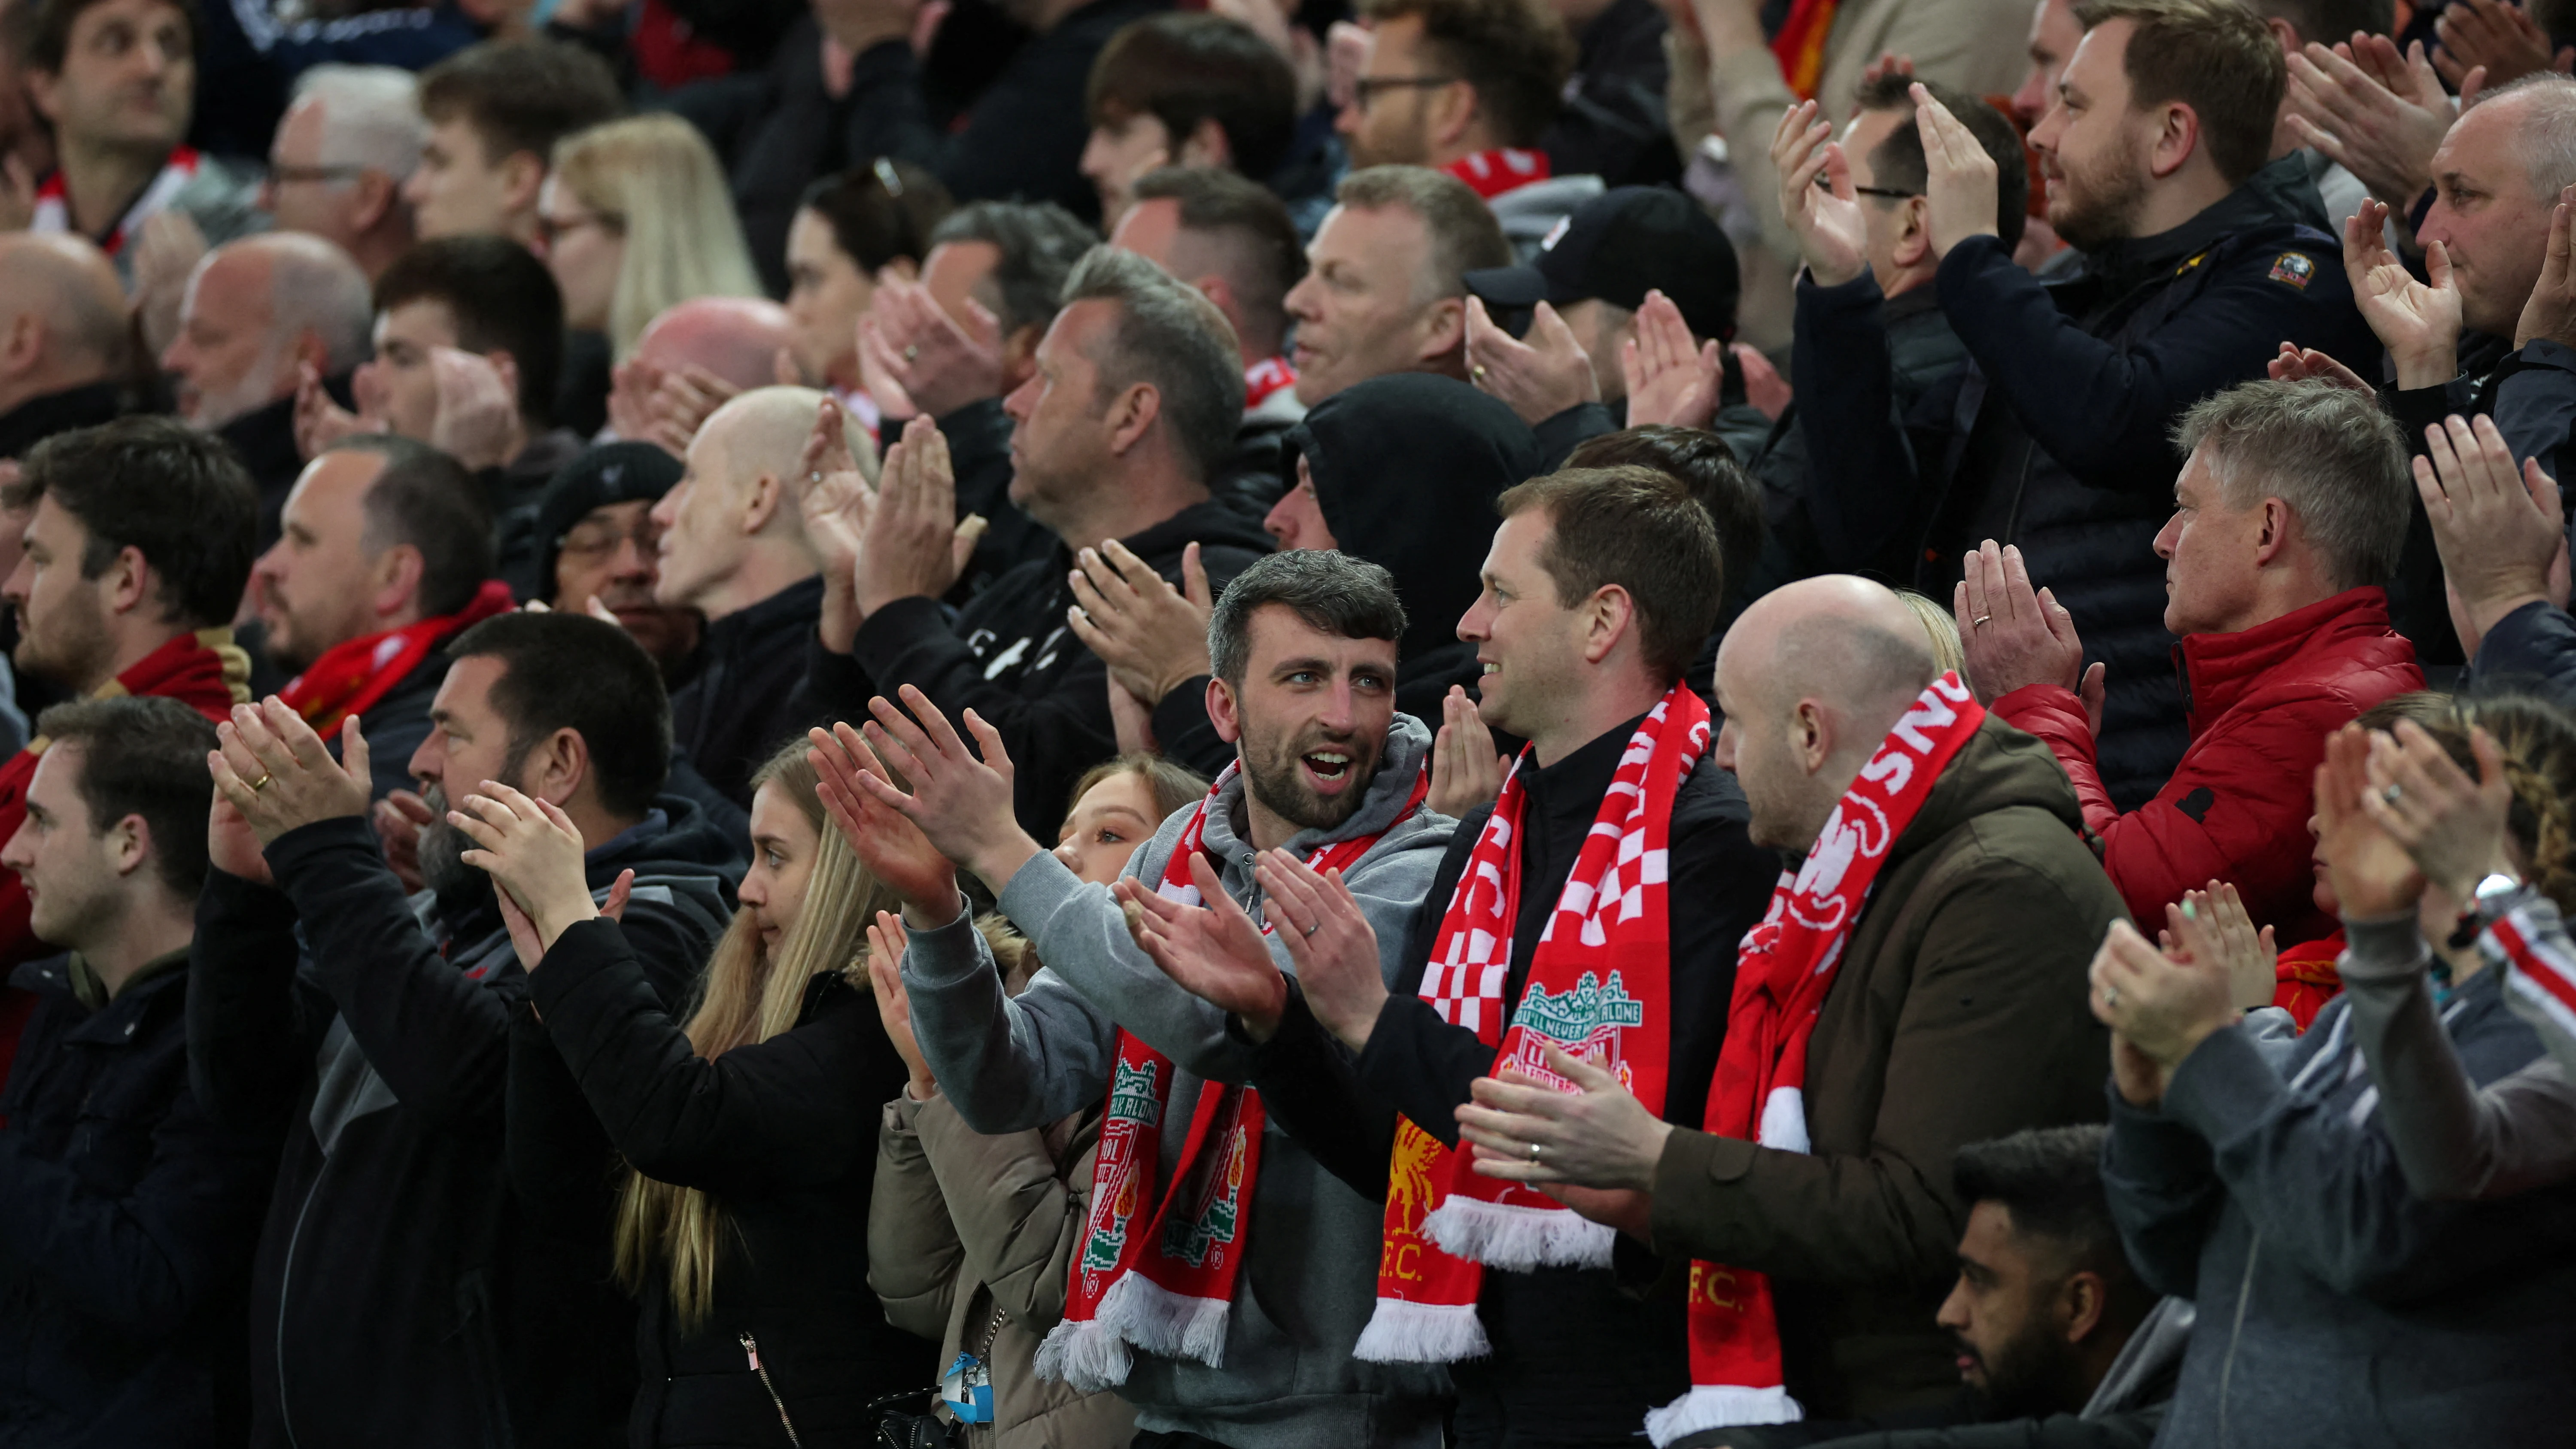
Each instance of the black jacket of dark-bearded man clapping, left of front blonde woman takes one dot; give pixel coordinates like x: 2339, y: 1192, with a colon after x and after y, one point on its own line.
x: 398, y: 1293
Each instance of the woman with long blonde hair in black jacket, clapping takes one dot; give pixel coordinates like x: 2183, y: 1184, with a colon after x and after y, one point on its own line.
x: 743, y: 1169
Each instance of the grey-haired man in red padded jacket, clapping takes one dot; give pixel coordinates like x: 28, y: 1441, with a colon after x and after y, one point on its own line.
x: 2289, y: 517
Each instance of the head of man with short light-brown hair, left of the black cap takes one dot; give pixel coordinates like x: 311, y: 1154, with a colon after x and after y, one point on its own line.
x: 1387, y: 280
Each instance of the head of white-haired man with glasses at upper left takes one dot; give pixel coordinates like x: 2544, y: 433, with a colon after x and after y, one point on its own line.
x: 341, y: 159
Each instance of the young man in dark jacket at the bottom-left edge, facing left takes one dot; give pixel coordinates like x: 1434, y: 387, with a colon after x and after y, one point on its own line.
x: 125, y: 1211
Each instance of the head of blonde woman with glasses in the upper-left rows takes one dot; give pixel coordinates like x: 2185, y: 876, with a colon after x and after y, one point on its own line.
x: 638, y: 218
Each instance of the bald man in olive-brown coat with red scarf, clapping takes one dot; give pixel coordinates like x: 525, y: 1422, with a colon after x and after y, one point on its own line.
x: 1915, y: 986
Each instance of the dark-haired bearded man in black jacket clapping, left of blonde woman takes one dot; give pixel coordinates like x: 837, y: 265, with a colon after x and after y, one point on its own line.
x: 398, y: 1296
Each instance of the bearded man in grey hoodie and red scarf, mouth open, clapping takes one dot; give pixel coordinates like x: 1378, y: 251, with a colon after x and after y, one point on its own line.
x: 1328, y: 772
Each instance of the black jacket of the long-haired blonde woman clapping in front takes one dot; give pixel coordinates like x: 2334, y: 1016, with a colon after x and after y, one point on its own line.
x: 769, y: 1133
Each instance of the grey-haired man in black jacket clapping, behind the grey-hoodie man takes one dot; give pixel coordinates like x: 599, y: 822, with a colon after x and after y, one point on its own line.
x: 1132, y: 404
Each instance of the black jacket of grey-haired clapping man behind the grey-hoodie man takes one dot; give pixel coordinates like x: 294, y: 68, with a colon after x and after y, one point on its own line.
x: 1011, y: 659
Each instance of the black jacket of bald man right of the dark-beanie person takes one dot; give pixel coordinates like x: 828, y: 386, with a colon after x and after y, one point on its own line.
x: 743, y: 703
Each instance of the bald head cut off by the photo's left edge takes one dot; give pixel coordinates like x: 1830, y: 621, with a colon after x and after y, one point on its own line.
x: 63, y: 339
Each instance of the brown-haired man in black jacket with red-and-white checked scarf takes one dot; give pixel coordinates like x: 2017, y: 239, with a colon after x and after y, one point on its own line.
x: 1598, y: 592
